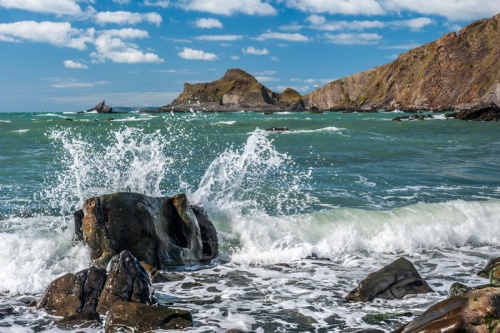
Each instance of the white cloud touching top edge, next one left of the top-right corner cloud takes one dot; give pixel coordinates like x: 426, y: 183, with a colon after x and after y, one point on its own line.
x: 346, y: 7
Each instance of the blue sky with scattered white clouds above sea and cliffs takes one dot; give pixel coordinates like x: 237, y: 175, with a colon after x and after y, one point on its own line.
x: 68, y: 55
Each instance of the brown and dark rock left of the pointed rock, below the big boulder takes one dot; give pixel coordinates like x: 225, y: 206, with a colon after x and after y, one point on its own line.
x: 73, y: 293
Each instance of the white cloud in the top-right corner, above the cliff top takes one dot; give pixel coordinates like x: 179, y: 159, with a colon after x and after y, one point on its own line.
x: 457, y: 10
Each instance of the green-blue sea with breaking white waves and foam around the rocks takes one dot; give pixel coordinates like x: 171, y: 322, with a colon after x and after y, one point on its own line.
x: 303, y: 215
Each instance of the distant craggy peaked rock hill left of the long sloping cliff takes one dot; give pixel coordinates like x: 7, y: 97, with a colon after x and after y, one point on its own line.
x: 236, y: 90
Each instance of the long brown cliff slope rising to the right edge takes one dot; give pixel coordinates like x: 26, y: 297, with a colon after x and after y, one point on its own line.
x: 458, y: 71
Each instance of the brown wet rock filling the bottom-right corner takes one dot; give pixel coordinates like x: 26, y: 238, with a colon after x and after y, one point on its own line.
x: 474, y: 312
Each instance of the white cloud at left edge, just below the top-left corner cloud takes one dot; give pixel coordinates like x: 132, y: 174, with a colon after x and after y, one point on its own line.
x: 60, y: 34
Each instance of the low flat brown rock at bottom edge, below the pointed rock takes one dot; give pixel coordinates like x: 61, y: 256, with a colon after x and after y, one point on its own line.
x: 145, y: 318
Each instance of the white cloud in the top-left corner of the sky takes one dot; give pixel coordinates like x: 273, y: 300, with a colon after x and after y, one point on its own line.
x: 57, y: 7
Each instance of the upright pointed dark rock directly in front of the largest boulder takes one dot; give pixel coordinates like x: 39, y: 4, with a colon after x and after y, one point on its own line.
x: 127, y: 281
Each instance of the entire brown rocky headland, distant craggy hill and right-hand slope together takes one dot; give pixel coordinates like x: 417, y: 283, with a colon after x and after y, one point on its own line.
x: 459, y: 71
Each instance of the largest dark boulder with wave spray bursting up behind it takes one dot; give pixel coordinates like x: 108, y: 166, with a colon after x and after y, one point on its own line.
x: 161, y: 232
